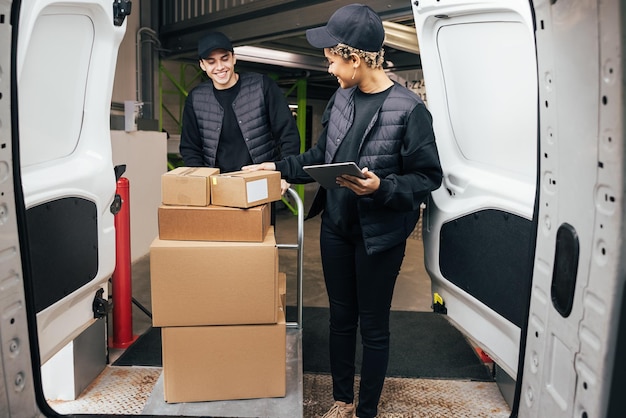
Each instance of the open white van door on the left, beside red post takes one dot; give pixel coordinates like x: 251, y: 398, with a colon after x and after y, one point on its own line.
x: 65, y: 62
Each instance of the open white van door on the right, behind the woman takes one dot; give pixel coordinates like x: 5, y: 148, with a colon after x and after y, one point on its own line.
x: 479, y: 66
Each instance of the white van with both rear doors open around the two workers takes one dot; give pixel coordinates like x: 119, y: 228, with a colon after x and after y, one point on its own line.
x: 523, y: 241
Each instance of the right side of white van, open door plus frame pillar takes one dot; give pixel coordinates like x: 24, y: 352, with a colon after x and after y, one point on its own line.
x: 524, y: 241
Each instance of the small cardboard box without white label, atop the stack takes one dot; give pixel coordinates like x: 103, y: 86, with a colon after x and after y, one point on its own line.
x: 187, y: 186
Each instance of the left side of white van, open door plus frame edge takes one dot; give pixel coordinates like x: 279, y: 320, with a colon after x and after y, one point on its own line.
x: 57, y: 183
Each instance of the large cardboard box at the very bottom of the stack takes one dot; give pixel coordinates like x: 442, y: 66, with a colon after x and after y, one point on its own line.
x: 224, y: 362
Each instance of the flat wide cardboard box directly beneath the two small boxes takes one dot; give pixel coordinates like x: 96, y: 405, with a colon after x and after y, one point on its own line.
x: 214, y: 223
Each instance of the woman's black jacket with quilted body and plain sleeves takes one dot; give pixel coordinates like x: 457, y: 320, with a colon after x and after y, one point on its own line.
x: 398, y: 146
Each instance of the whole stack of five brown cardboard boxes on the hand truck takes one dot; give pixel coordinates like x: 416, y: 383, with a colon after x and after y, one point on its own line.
x: 216, y: 290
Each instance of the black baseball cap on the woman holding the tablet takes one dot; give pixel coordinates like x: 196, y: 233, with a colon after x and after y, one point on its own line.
x: 355, y: 25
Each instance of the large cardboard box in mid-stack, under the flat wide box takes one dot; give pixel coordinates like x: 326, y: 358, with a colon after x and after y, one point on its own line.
x: 195, y: 283
